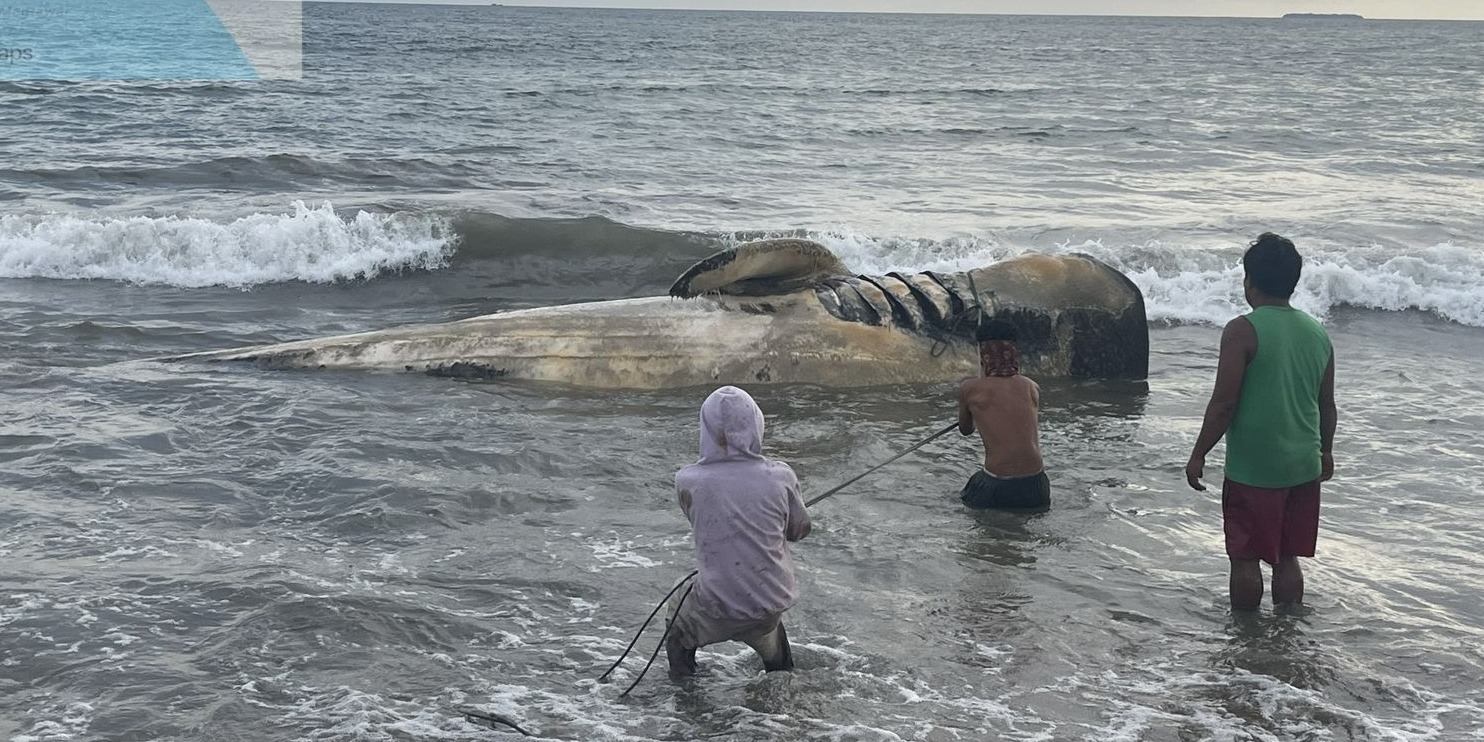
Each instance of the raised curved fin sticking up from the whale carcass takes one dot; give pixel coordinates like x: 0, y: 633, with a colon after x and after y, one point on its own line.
x: 769, y: 266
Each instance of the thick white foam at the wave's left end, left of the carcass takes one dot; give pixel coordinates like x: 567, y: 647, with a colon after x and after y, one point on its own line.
x: 311, y: 244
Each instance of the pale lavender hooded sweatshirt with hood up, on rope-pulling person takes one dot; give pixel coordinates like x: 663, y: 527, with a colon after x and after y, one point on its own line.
x: 744, y: 510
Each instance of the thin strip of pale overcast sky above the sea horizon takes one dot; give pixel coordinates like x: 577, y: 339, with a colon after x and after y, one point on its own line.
x: 1442, y: 10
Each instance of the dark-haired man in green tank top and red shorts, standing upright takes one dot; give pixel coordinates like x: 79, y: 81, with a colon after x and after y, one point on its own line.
x: 1274, y: 401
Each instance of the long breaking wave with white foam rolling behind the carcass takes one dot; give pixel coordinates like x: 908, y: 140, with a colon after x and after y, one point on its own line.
x: 1183, y: 284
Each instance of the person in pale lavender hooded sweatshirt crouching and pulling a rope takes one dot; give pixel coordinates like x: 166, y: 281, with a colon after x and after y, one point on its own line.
x: 744, y: 510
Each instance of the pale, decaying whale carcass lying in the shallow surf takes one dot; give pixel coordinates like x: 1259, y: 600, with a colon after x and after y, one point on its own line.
x: 781, y: 311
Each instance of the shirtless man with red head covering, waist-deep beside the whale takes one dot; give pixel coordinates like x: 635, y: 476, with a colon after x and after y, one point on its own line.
x: 1004, y: 407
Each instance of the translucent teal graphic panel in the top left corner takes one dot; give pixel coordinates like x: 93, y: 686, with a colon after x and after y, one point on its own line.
x: 118, y: 41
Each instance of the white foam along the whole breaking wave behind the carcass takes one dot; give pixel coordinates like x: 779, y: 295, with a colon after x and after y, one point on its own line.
x: 1182, y: 283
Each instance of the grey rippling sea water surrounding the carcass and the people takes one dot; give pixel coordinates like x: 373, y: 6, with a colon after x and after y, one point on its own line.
x: 204, y: 553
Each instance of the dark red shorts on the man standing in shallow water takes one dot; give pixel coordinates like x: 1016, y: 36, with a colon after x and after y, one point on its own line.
x: 1268, y: 523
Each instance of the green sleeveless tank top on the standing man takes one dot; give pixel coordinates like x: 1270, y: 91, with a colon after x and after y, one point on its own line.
x: 1274, y: 440
